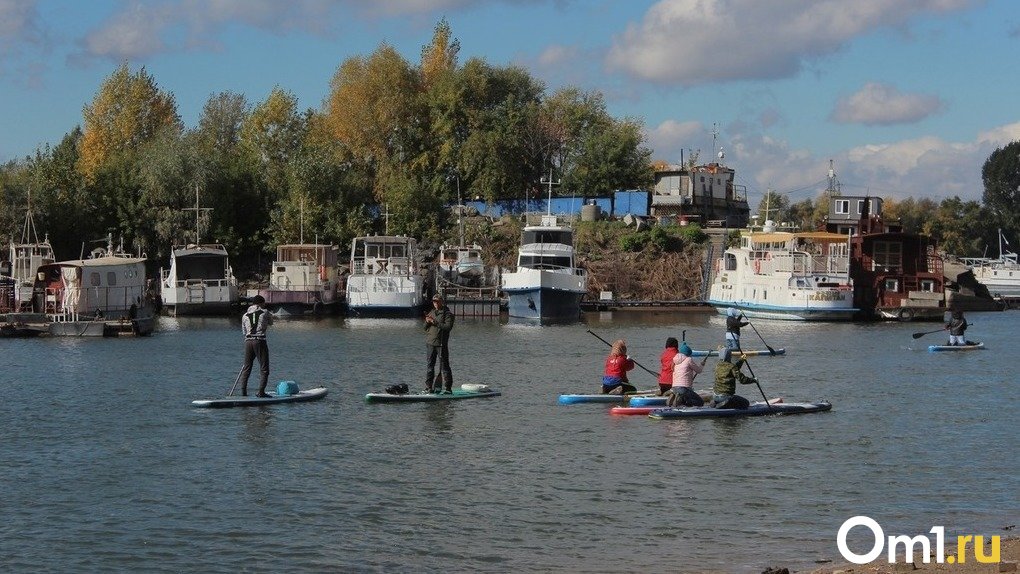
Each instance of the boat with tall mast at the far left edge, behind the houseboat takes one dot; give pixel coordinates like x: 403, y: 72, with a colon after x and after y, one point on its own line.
x: 18, y: 274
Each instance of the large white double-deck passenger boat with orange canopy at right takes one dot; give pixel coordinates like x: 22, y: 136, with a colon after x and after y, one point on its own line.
x: 802, y: 277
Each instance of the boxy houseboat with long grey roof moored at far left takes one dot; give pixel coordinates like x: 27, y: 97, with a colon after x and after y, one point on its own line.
x: 103, y: 296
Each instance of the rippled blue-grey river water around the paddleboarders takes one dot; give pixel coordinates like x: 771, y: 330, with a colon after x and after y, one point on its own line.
x: 108, y: 467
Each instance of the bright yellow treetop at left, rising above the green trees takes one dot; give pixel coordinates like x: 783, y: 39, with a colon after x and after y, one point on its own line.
x: 128, y: 112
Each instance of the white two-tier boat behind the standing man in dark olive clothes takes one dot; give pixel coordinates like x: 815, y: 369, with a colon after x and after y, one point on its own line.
x: 386, y: 279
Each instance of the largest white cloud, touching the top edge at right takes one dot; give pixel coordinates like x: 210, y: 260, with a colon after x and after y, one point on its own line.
x: 695, y: 42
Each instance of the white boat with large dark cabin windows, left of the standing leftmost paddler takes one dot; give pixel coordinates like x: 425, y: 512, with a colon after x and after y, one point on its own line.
x: 199, y: 282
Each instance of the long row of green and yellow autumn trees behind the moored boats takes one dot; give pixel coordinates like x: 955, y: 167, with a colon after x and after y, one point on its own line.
x: 391, y: 137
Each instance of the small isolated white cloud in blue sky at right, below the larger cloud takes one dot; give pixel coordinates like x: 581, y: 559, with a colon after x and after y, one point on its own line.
x: 882, y: 105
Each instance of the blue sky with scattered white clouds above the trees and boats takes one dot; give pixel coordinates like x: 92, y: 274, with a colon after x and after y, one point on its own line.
x: 907, y: 98
